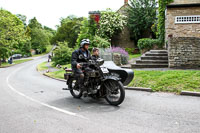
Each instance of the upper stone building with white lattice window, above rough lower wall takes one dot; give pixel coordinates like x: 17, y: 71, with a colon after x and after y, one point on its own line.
x: 183, y: 19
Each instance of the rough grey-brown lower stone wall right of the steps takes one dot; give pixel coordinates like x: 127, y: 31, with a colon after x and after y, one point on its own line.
x: 184, y: 52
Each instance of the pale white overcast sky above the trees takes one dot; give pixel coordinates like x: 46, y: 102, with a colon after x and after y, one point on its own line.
x: 49, y: 12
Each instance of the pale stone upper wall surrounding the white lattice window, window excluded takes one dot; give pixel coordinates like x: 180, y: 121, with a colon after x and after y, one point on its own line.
x: 181, y: 30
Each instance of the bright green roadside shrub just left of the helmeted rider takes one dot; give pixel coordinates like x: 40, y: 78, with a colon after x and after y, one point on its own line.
x: 62, y: 54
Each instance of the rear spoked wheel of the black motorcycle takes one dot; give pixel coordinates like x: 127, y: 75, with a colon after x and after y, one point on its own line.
x: 74, y: 89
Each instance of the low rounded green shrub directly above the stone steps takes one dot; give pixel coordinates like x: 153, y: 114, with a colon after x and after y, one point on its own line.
x: 147, y: 43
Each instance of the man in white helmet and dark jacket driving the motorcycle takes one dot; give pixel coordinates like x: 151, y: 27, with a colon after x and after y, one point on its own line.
x: 80, y: 55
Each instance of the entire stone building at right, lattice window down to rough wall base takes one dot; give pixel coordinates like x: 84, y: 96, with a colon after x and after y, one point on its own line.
x: 183, y: 33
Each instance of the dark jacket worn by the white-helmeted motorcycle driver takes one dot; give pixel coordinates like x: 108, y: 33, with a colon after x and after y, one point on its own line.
x: 76, y: 58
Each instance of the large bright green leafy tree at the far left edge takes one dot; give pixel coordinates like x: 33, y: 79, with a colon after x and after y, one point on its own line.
x: 12, y: 33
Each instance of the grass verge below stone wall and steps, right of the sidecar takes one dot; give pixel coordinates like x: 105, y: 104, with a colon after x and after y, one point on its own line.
x: 167, y: 81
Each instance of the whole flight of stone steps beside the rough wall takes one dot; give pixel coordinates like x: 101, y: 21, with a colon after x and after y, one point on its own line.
x: 152, y: 59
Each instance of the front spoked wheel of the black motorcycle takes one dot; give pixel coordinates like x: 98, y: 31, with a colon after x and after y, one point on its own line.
x: 115, y: 92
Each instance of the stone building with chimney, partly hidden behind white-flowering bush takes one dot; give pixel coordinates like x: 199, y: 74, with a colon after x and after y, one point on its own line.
x: 123, y: 39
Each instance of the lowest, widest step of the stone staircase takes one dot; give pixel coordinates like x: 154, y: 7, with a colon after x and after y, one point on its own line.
x: 149, y: 65
